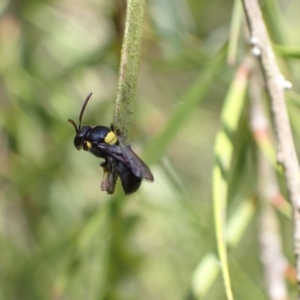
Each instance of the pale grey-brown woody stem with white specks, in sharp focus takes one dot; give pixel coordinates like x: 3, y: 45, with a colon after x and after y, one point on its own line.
x: 275, y: 85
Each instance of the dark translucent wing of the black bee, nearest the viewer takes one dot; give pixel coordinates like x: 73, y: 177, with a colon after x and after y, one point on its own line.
x: 138, y: 167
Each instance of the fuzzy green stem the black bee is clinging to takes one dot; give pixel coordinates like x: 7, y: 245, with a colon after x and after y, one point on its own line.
x: 129, y: 66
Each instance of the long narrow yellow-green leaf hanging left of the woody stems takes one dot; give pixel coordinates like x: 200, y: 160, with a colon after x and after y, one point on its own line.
x: 231, y: 113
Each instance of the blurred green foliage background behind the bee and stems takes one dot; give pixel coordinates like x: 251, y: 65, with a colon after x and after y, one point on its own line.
x: 60, y: 236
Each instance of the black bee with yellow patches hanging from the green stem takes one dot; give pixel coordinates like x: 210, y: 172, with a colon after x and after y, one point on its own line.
x: 119, y: 159
